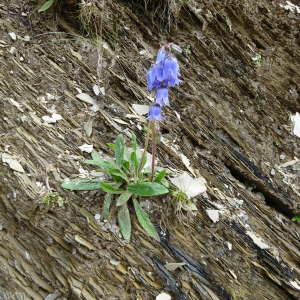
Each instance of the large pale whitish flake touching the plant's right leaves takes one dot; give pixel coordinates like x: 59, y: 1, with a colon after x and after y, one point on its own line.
x: 192, y: 187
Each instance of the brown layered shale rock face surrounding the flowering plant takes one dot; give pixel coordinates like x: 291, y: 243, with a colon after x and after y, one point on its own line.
x: 231, y: 118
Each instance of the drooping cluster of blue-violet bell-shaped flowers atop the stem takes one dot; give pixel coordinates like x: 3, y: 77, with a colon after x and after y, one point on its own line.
x: 161, y: 75
